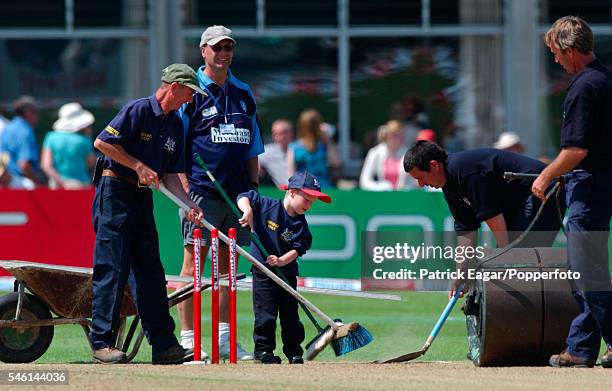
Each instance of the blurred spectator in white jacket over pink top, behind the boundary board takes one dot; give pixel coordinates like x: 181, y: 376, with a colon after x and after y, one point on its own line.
x: 383, y: 167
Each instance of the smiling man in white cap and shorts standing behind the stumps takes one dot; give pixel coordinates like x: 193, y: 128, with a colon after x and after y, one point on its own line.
x: 221, y: 126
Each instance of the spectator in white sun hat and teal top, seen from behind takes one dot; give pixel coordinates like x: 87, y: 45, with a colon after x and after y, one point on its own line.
x: 67, y: 156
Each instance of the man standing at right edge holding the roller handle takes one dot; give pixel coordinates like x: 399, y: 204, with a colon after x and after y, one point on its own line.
x: 586, y: 148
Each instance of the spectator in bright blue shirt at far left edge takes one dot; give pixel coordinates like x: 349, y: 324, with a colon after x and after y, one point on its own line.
x: 18, y: 140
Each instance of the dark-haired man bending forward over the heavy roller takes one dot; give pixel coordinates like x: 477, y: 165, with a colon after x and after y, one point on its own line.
x: 476, y: 192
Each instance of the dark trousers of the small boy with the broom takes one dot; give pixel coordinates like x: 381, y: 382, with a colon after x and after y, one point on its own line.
x: 270, y: 301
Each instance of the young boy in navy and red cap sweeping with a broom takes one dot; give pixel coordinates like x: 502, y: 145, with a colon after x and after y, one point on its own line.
x: 281, y: 227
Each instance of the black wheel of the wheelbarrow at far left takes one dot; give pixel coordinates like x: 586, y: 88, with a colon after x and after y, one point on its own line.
x: 25, y: 344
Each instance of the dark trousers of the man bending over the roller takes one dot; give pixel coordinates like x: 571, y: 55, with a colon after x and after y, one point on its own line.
x: 545, y: 229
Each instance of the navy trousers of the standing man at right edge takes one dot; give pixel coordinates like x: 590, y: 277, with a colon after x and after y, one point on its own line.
x: 589, y: 199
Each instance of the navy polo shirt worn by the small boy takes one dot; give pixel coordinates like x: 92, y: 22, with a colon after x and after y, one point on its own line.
x: 278, y: 232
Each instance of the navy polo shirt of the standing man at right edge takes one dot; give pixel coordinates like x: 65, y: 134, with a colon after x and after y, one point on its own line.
x: 587, y: 116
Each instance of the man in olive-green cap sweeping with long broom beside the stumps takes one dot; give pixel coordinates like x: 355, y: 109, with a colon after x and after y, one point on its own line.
x: 142, y: 145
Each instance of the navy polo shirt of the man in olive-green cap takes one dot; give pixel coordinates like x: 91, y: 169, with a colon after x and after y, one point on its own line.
x: 149, y: 135
